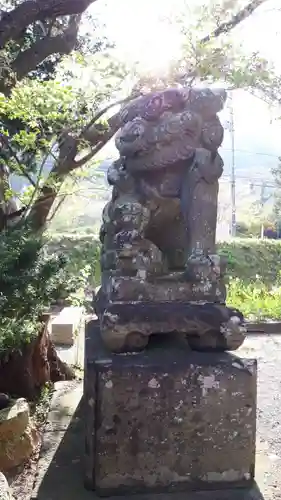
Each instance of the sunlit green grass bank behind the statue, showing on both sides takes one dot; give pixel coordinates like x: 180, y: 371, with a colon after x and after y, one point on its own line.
x: 254, y: 270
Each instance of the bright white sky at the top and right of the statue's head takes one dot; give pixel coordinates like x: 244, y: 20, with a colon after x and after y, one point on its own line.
x: 143, y: 31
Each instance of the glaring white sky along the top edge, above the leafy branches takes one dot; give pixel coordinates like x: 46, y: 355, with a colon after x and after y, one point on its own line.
x: 142, y: 29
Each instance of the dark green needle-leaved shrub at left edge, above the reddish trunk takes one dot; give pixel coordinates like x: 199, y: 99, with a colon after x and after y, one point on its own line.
x: 29, y: 282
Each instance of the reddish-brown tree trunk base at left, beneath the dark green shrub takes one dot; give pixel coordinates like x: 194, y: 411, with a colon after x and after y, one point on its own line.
x: 24, y: 372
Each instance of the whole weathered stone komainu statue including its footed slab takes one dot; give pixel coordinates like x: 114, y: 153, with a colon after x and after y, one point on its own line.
x: 160, y: 272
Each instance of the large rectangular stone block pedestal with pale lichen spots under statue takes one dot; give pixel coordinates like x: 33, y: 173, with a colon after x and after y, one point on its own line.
x: 167, y: 419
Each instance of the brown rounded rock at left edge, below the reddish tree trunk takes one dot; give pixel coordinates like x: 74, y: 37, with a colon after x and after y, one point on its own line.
x: 18, y: 435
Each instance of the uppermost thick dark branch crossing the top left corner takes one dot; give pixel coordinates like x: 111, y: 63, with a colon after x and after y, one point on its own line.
x: 13, y: 23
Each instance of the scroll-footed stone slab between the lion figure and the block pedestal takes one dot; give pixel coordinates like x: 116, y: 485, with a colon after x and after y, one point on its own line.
x: 126, y: 327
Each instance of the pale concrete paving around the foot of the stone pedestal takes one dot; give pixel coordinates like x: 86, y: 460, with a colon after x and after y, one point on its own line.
x: 60, y: 468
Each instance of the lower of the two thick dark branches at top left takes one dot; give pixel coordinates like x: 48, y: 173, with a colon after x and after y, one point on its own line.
x: 64, y: 43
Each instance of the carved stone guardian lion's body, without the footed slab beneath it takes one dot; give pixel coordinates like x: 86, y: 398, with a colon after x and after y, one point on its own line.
x: 165, y: 184
